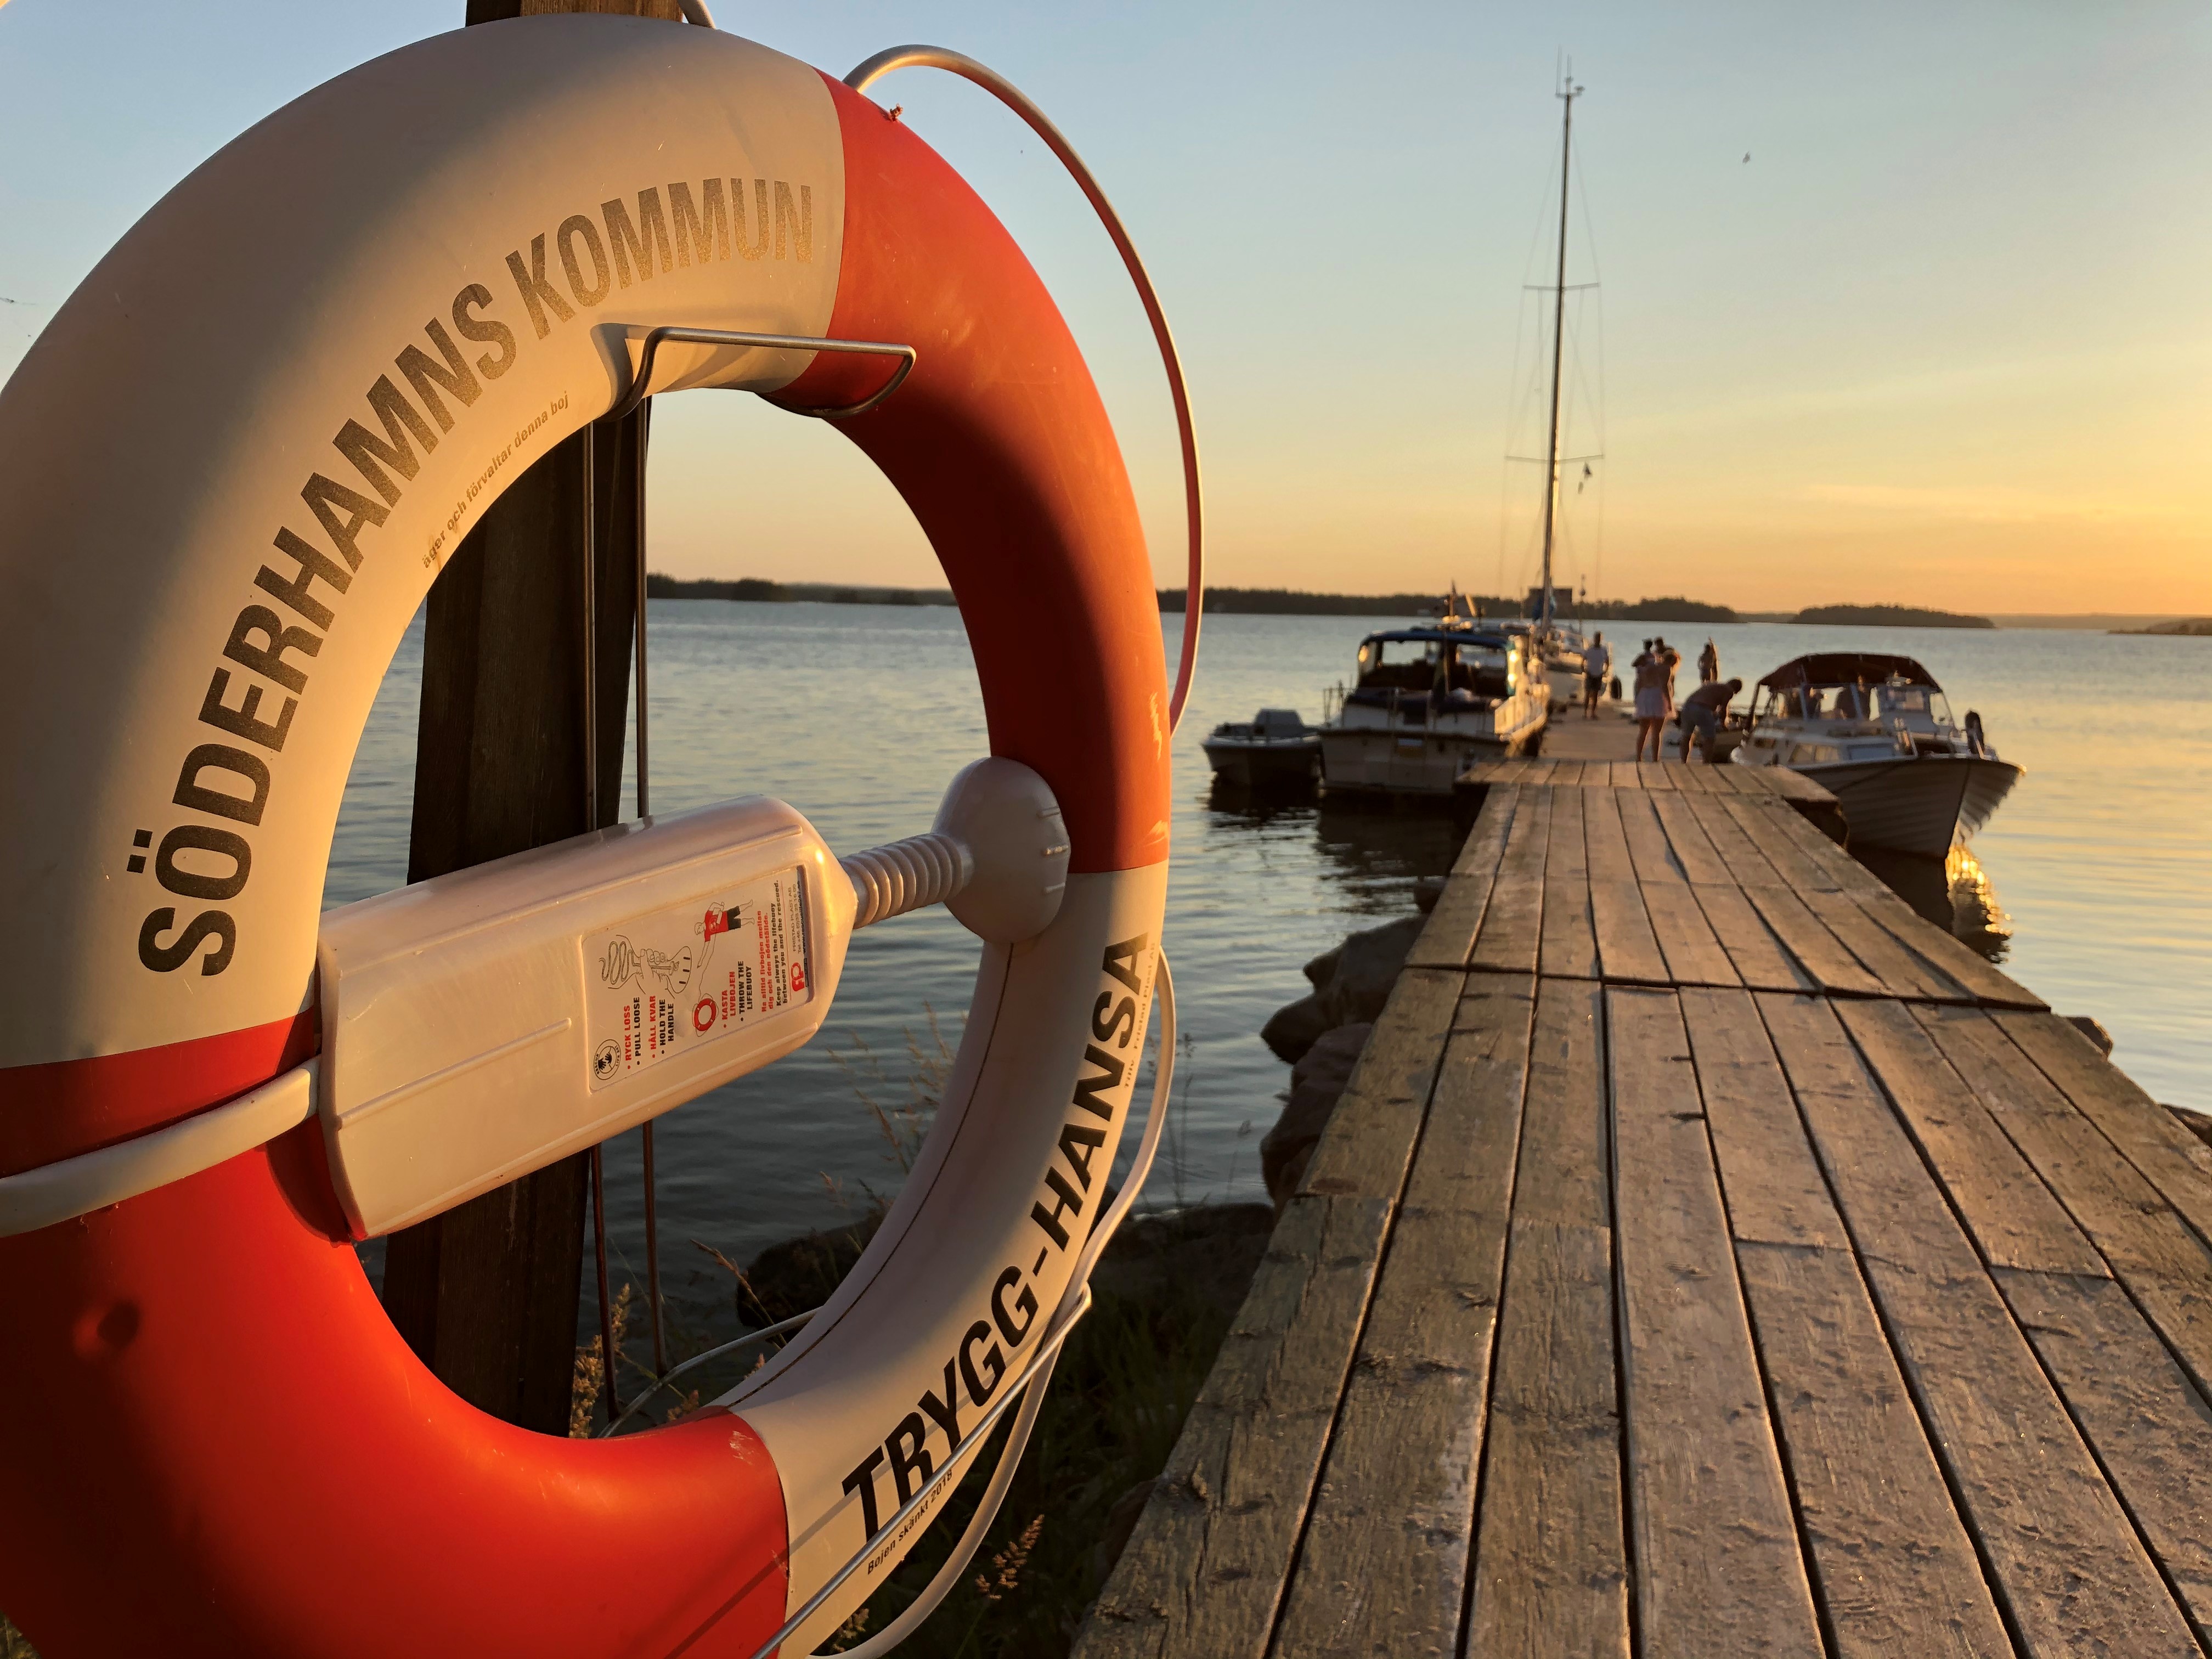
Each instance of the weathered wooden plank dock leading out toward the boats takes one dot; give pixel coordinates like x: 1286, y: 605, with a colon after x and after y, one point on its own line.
x: 1707, y: 1260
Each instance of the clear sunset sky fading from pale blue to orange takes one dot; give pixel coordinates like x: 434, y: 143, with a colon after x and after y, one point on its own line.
x: 1945, y: 337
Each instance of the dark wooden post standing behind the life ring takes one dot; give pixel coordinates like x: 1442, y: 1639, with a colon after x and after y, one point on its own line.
x: 488, y: 1293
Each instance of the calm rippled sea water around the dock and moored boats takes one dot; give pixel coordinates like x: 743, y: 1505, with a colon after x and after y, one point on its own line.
x: 2100, y: 859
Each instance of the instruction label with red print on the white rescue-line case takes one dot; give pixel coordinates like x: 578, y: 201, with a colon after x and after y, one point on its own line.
x: 696, y: 972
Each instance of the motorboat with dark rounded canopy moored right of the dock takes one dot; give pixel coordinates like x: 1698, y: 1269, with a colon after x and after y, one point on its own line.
x: 1877, y: 733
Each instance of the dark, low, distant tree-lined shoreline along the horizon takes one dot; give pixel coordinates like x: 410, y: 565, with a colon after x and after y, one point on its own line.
x: 1293, y: 603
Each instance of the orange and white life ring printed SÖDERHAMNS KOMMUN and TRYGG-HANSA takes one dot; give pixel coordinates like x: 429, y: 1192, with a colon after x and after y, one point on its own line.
x: 233, y: 463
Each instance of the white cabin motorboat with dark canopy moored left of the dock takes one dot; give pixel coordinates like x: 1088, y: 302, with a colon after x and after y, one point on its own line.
x: 1428, y: 705
